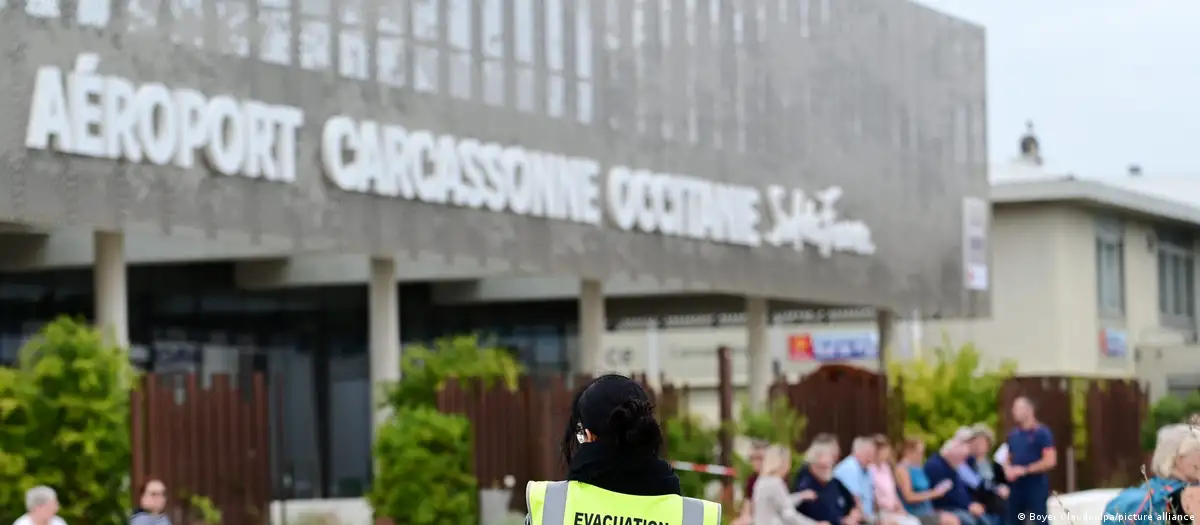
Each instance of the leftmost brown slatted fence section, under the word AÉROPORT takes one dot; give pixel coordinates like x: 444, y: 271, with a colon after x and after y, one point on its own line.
x: 212, y: 443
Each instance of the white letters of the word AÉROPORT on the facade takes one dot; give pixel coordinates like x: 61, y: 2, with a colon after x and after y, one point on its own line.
x: 109, y: 117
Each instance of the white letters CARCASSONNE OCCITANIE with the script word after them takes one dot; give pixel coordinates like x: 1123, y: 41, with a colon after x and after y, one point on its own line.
x: 416, y: 165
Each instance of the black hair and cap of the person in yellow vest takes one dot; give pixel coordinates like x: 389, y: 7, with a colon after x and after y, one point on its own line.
x: 619, y: 412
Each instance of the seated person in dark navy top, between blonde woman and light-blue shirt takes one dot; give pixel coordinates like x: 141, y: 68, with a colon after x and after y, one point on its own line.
x: 833, y: 504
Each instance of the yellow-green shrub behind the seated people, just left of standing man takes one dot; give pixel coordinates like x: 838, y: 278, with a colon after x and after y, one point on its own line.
x: 947, y: 390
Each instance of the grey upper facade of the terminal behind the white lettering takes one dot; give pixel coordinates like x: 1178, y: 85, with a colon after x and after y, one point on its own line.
x: 884, y: 100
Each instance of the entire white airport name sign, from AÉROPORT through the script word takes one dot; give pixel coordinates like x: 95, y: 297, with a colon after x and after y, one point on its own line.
x: 107, y: 117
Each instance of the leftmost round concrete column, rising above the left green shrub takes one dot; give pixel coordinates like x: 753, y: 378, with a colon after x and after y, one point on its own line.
x: 110, y: 288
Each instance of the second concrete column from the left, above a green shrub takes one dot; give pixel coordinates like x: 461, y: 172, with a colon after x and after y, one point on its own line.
x: 385, y: 327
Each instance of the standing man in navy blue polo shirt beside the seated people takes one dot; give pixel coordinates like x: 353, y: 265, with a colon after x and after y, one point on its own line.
x: 1031, y: 456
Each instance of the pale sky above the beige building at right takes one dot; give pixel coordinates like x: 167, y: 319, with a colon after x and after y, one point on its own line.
x: 1107, y: 83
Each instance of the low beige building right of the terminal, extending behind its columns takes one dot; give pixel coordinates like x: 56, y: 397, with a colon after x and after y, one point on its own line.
x: 1048, y: 313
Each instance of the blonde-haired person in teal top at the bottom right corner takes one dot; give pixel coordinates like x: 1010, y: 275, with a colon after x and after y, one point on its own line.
x: 1167, y: 494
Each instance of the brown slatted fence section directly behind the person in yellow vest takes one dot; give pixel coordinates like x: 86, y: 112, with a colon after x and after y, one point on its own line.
x: 519, y: 433
